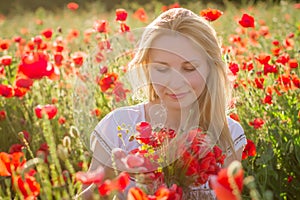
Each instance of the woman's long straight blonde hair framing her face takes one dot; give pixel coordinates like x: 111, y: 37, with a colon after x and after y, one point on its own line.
x: 213, y: 100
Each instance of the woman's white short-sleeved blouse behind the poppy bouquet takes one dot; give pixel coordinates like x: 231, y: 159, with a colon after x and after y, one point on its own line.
x: 123, y: 120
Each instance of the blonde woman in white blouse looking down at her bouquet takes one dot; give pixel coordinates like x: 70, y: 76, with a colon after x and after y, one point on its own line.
x: 180, y: 63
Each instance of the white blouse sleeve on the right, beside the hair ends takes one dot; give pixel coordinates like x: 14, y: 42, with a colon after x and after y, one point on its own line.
x: 237, y: 133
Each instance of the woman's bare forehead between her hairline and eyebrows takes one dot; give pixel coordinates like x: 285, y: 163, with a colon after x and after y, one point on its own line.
x: 175, y: 45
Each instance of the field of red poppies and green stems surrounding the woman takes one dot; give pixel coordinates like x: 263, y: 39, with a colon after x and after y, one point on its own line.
x: 62, y: 72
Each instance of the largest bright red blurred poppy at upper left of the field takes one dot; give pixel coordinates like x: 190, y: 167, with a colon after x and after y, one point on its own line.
x: 35, y: 65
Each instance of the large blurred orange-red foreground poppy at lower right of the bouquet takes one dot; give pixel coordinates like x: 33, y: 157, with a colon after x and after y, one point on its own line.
x: 223, y: 187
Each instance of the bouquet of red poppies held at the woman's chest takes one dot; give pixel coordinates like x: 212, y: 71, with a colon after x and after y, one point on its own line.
x: 183, y: 159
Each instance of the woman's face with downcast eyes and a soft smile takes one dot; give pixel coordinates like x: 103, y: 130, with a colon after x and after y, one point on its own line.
x: 178, y: 70
